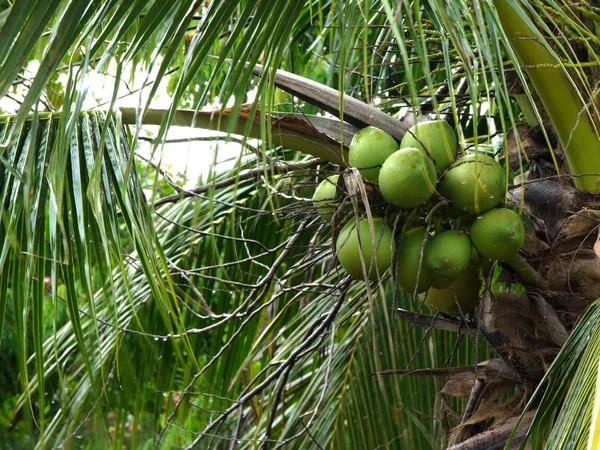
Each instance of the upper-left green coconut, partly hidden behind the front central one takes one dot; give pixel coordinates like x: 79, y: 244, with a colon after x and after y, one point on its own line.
x: 369, y: 148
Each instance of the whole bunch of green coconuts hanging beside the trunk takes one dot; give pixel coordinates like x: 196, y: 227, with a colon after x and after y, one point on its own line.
x: 442, y: 221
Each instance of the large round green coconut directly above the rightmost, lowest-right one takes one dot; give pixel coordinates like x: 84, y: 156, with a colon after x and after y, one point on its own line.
x: 475, y: 183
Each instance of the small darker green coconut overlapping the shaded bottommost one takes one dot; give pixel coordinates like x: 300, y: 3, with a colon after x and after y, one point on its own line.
x: 448, y: 254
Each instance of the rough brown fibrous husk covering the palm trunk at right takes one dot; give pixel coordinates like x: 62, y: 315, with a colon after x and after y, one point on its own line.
x: 528, y: 329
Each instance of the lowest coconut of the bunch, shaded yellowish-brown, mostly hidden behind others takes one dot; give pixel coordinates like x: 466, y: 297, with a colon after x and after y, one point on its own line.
x: 463, y: 291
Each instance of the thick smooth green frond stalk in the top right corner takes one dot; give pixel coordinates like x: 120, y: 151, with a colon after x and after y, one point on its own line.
x: 571, y: 118
